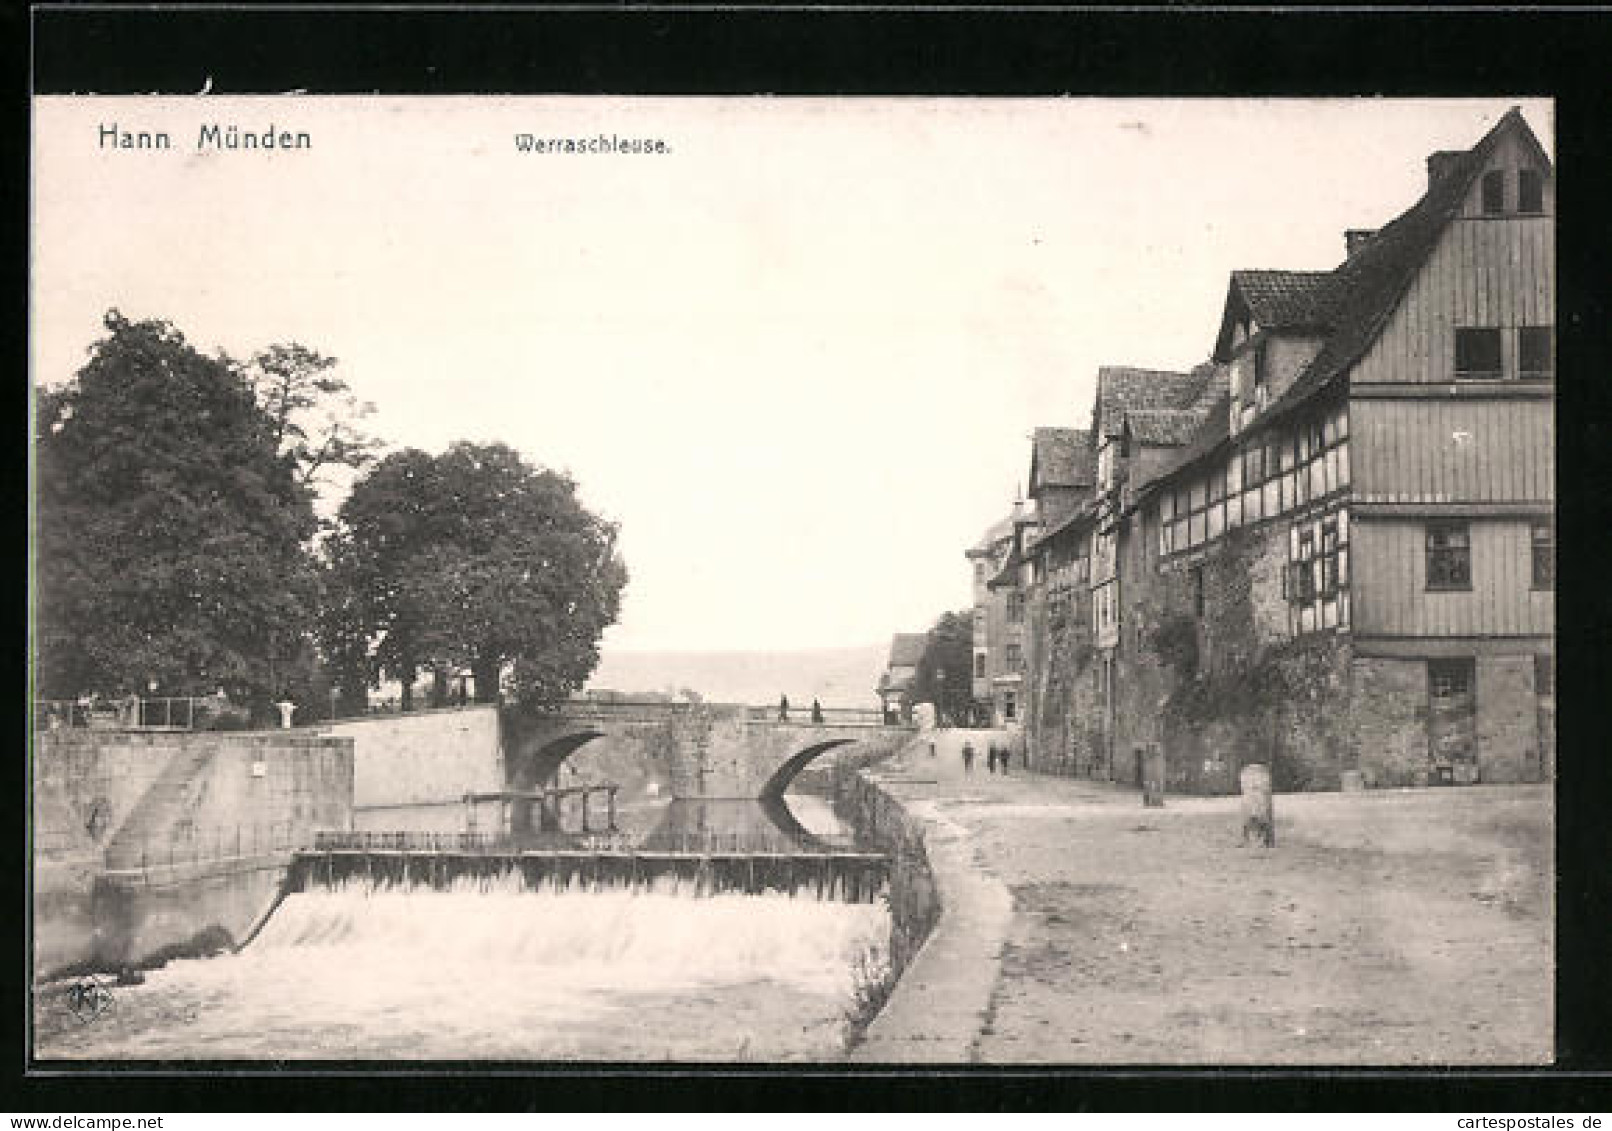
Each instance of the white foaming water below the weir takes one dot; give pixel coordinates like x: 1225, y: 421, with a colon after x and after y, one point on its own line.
x: 488, y: 971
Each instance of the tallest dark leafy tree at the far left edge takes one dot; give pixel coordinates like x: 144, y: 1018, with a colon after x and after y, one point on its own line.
x: 170, y: 529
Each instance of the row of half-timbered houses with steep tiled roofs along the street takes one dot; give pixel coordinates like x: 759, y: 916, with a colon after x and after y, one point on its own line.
x: 1331, y: 549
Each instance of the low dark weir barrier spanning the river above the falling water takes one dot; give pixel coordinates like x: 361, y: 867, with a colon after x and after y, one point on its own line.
x: 826, y: 876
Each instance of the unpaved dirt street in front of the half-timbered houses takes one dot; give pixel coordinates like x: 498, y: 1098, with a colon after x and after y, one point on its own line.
x: 1384, y: 929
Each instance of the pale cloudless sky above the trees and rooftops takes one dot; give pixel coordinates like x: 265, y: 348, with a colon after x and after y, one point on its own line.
x: 797, y: 358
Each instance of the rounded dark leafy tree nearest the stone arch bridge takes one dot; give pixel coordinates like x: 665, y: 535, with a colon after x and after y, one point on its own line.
x: 475, y: 558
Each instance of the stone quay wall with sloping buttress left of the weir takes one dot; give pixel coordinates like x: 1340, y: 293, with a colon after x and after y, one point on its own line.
x: 151, y: 842
